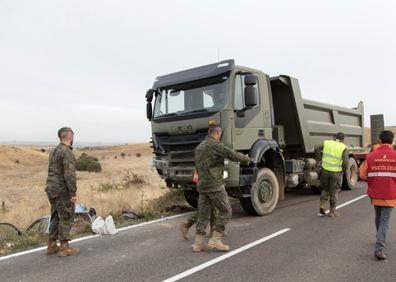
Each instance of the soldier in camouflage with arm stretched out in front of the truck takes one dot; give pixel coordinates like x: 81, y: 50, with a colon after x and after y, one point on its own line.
x: 209, y: 162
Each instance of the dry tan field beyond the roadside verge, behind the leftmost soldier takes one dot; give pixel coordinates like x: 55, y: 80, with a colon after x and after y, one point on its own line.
x: 23, y: 173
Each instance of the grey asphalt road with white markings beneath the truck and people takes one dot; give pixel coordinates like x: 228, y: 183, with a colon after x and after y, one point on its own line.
x: 311, y: 248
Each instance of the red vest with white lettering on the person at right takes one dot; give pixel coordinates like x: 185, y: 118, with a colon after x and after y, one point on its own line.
x: 382, y: 173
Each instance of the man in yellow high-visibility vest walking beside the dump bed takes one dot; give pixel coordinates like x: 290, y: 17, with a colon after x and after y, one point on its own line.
x: 334, y: 162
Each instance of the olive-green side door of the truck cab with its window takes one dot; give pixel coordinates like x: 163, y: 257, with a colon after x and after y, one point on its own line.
x: 249, y: 124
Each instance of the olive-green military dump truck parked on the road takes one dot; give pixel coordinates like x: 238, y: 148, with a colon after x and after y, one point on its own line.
x: 262, y: 116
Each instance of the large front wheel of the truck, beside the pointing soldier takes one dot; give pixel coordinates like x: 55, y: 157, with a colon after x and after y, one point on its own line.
x: 264, y: 194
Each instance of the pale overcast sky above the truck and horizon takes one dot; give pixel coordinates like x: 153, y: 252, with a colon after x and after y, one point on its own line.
x: 87, y: 64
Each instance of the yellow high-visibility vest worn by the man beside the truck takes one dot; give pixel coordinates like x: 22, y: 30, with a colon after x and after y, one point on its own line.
x: 332, y: 155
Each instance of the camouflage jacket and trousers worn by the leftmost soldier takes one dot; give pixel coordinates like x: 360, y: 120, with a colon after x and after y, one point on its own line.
x: 61, y: 186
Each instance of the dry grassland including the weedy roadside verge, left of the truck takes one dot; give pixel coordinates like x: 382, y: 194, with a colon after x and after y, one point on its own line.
x: 126, y: 185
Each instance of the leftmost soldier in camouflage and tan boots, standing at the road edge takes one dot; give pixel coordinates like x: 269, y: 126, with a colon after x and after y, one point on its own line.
x: 61, y: 191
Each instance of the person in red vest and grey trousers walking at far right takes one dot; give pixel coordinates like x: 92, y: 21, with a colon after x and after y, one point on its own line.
x: 379, y: 169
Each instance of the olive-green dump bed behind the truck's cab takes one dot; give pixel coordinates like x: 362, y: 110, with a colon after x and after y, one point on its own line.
x: 307, y: 123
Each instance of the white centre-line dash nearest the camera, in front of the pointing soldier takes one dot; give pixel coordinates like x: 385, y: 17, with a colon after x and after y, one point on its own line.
x: 225, y: 256
